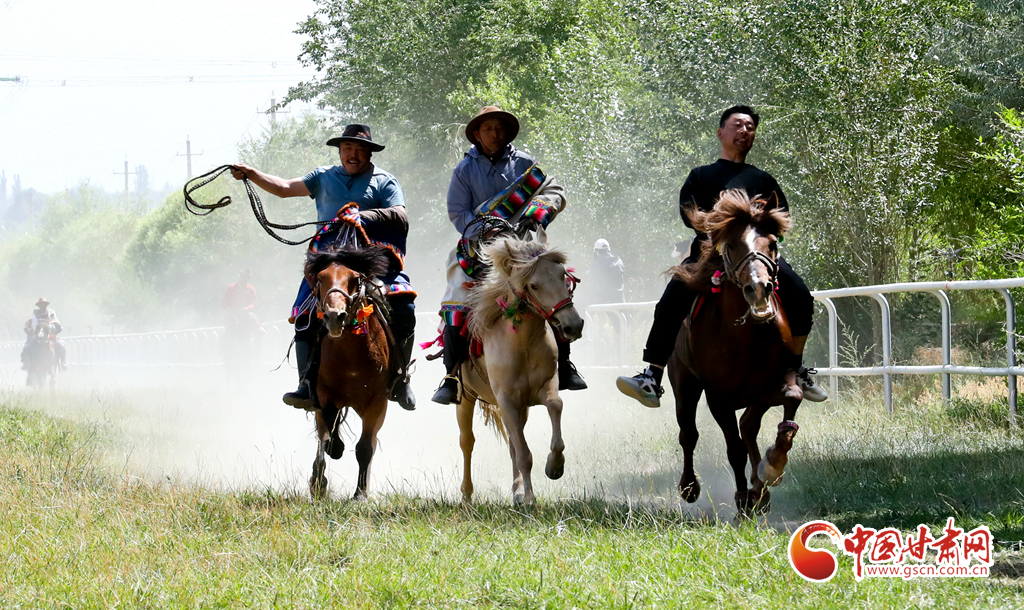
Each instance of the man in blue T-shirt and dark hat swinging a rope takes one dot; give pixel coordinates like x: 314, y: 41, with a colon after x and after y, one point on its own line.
x: 382, y: 204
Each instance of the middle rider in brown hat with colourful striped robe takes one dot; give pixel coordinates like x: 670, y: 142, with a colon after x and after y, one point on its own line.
x: 491, y: 170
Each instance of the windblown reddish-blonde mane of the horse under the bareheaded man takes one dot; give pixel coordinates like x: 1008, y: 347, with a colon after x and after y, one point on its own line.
x: 734, y: 210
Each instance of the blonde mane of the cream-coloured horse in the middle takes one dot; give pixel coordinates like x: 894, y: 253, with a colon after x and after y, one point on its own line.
x: 514, y: 262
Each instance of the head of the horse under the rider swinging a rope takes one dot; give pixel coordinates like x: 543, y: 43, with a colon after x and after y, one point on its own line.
x: 339, y: 278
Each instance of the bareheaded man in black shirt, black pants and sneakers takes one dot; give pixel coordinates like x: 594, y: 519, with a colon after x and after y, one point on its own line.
x: 703, y: 188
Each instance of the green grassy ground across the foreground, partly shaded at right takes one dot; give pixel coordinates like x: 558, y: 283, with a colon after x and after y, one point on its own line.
x: 82, y: 530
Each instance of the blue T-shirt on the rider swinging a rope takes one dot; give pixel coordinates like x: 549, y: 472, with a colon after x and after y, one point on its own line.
x: 332, y: 188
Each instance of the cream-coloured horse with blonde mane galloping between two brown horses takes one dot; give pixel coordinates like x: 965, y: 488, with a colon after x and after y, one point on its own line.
x: 527, y: 293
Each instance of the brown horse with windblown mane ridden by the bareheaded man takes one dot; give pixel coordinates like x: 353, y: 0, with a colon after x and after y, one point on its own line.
x: 737, y: 344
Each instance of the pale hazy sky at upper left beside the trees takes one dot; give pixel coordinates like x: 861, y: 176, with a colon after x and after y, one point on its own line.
x: 108, y: 79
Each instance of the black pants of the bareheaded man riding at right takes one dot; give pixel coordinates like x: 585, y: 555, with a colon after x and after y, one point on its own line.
x: 675, y: 306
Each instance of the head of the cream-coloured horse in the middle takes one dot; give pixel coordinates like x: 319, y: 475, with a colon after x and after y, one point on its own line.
x: 538, y: 277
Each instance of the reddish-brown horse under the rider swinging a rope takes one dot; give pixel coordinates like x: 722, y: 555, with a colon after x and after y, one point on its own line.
x: 355, y: 356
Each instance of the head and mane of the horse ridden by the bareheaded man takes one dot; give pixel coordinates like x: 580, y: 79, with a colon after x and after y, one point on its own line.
x: 746, y: 233
